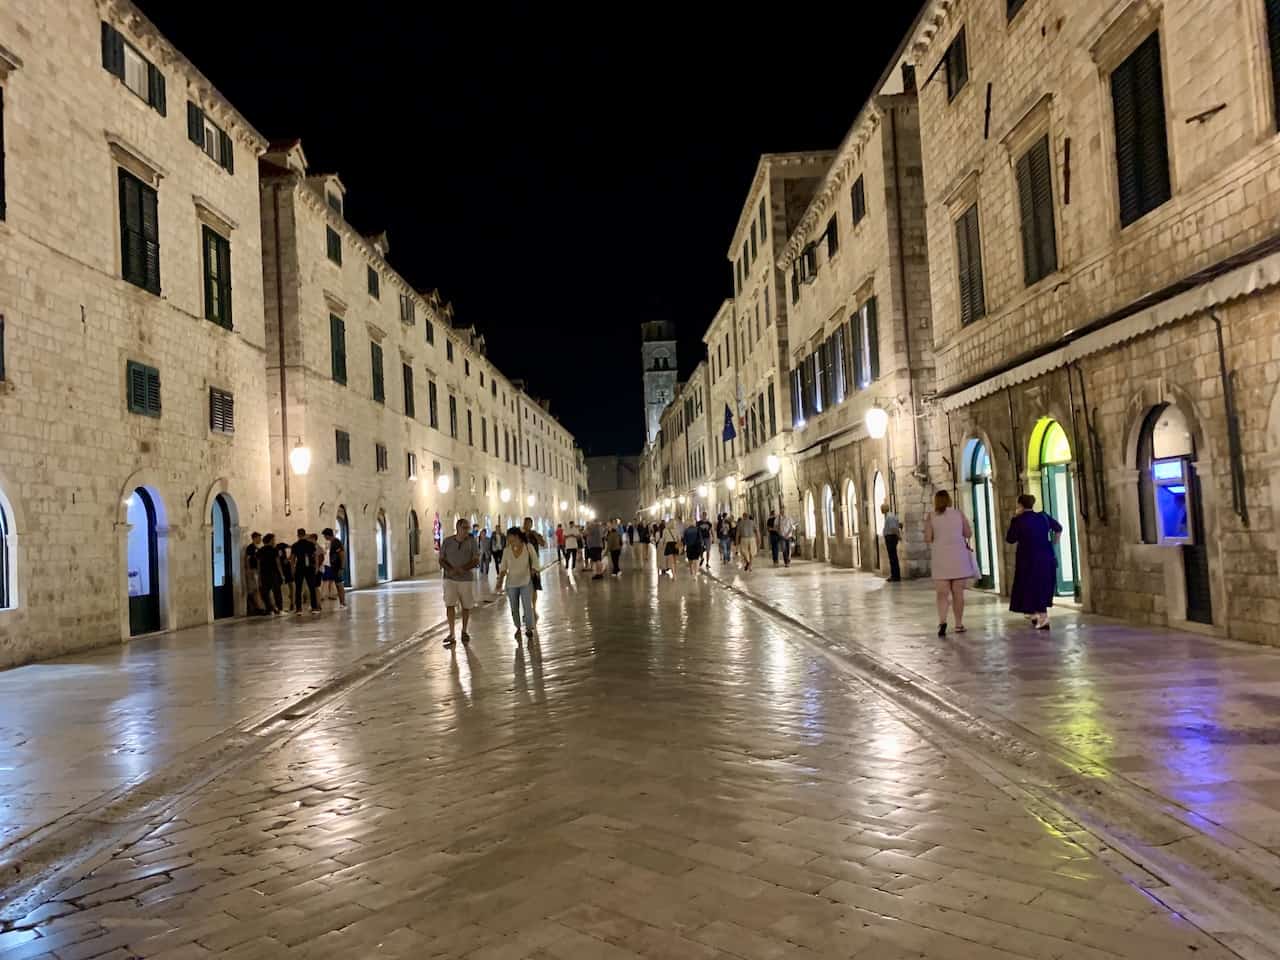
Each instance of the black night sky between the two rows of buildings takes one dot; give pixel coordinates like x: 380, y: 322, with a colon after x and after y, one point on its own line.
x: 559, y: 177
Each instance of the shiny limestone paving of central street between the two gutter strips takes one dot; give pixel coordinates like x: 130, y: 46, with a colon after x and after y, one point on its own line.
x: 668, y: 774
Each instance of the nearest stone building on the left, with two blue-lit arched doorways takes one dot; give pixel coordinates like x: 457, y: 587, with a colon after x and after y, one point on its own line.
x: 132, y: 431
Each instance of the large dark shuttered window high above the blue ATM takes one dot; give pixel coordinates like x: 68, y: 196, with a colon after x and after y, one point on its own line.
x: 1142, y: 145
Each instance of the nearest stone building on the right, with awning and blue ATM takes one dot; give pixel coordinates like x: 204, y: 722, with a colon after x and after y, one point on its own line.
x: 1103, y: 185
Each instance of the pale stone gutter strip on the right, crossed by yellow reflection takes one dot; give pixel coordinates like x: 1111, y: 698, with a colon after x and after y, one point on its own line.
x: 1231, y: 883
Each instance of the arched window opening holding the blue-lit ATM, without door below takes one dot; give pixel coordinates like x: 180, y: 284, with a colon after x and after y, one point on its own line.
x: 1165, y: 452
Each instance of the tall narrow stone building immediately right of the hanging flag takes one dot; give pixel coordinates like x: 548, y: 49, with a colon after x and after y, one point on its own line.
x: 756, y: 350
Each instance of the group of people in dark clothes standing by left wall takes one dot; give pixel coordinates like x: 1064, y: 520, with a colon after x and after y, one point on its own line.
x: 272, y: 566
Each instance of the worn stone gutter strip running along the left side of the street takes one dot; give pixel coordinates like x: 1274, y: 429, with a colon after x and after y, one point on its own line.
x: 47, y: 861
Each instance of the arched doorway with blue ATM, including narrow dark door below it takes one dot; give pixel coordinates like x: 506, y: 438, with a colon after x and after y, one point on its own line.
x: 1169, y: 502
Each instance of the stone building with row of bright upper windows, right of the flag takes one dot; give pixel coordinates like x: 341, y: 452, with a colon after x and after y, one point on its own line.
x: 860, y: 340
